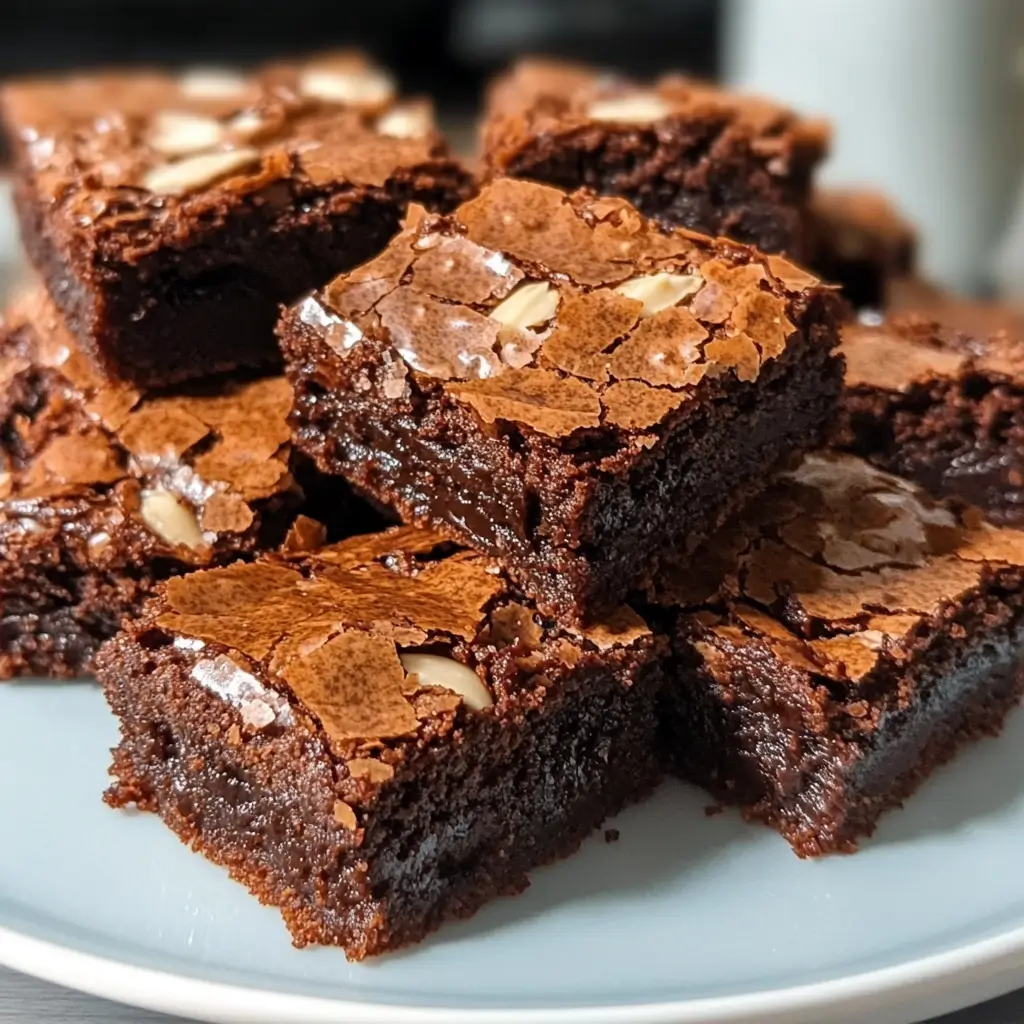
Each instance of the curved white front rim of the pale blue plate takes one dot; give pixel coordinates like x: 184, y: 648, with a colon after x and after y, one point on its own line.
x: 925, y: 987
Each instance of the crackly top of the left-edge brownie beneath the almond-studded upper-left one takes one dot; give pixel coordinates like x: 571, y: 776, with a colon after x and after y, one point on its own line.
x: 192, y: 468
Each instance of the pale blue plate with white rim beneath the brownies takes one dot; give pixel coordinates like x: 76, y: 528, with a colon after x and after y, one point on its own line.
x: 686, y: 919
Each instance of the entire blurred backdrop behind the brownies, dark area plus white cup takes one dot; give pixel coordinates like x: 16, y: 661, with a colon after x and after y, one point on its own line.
x: 927, y: 97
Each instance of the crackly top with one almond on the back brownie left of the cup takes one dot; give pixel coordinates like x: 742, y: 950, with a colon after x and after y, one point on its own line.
x: 538, y: 98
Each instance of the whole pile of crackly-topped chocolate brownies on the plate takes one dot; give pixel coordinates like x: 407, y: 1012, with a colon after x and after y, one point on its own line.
x: 602, y: 394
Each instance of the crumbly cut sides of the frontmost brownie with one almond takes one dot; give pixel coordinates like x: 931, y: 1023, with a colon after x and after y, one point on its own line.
x: 452, y: 831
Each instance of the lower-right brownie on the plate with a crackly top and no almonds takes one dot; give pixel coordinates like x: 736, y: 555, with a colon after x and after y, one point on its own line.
x: 841, y: 642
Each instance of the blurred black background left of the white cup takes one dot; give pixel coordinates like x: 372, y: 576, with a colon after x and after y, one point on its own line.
x: 446, y: 48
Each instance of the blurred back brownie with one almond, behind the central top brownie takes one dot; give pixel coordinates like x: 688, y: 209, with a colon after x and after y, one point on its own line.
x: 682, y: 151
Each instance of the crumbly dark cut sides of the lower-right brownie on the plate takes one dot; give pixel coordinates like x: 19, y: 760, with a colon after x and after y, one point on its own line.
x: 825, y: 792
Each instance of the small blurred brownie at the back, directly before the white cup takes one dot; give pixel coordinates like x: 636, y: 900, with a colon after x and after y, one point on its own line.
x: 863, y: 243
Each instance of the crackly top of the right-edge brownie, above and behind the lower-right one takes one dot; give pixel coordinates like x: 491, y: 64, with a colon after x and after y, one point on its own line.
x: 911, y: 351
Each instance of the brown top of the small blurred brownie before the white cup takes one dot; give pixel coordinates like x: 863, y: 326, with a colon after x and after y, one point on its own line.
x: 859, y: 223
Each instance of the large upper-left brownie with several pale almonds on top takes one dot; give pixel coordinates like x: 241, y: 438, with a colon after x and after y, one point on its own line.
x: 170, y: 216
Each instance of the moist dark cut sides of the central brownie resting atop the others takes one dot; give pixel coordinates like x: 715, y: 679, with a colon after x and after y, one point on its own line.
x: 618, y: 534
